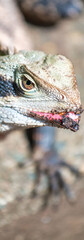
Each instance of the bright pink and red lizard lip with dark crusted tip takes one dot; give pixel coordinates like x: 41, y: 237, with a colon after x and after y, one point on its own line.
x: 68, y: 120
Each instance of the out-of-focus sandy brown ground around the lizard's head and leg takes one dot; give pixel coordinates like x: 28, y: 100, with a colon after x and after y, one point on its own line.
x: 65, y: 222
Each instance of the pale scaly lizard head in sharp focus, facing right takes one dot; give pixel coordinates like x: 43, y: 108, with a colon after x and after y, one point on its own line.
x: 41, y: 90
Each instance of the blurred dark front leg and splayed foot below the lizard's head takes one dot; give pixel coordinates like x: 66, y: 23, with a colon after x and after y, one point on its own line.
x: 48, y: 162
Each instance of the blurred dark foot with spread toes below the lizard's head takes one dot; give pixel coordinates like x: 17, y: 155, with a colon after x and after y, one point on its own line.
x: 50, y: 180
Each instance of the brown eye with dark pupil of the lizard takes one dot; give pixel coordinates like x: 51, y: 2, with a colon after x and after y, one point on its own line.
x: 27, y: 83
